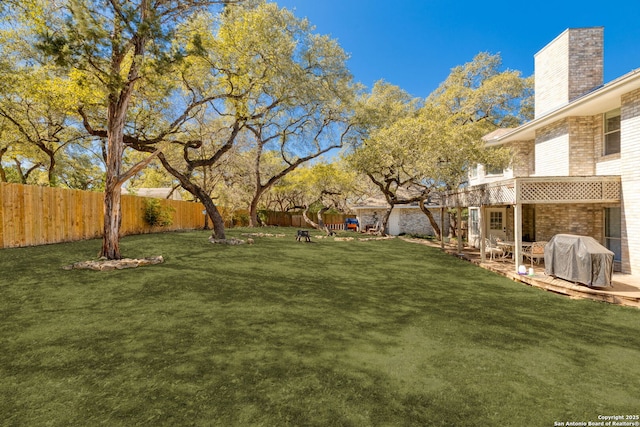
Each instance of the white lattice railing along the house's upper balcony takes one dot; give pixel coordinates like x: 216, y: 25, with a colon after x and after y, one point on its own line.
x: 596, y: 189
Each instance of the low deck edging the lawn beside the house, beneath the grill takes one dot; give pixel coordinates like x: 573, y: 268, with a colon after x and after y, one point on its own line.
x: 625, y: 289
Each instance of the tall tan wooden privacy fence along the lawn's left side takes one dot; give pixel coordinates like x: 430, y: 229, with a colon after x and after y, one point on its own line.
x: 34, y: 215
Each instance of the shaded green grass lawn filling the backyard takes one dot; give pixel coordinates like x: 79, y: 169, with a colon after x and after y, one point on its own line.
x: 356, y: 333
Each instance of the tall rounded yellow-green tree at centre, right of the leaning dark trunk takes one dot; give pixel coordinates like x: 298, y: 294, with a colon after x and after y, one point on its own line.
x: 299, y: 91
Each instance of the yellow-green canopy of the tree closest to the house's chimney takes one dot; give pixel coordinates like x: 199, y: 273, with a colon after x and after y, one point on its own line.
x: 430, y: 147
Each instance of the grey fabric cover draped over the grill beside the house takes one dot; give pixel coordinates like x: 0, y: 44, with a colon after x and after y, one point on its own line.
x: 578, y: 259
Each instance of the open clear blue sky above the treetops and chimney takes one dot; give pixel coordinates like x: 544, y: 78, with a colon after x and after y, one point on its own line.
x: 415, y: 43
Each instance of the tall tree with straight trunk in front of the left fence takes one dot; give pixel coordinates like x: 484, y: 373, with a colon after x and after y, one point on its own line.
x: 114, y: 46
